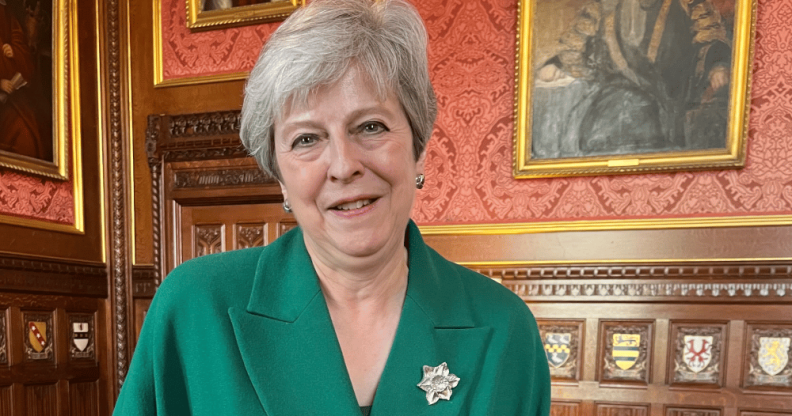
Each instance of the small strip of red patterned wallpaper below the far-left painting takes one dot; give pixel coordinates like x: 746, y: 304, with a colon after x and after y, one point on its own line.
x: 37, y: 198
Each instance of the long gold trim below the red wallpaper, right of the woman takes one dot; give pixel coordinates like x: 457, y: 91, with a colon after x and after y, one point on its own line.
x: 606, y: 225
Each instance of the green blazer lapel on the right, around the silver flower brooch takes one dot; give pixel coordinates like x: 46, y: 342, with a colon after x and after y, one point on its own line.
x: 436, y: 326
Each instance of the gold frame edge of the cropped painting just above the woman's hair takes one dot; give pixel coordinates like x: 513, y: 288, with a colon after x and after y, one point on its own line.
x: 238, y: 16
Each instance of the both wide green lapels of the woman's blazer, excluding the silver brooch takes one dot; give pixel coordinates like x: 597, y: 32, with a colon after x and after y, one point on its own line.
x: 292, y: 356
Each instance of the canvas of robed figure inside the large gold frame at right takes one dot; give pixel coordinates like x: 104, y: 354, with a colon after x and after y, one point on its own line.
x: 635, y: 77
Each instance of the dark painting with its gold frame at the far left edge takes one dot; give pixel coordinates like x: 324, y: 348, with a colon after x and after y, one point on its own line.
x: 39, y: 91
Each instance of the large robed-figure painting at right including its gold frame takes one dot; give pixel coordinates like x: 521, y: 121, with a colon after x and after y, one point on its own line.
x: 631, y: 86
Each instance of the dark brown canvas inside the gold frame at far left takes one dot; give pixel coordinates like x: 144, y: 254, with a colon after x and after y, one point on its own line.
x: 26, y: 78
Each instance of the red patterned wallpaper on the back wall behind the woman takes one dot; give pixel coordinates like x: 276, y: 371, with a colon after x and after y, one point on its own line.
x: 469, y: 162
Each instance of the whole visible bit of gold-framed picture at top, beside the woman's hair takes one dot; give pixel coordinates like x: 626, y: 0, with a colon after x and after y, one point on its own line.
x: 214, y: 14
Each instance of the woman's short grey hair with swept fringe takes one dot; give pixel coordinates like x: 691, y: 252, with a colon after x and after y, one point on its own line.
x: 317, y: 44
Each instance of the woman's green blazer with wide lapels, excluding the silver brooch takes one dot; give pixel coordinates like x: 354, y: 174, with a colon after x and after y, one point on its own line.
x: 248, y: 333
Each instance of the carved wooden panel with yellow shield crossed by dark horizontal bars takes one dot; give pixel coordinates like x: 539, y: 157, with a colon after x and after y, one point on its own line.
x: 625, y: 351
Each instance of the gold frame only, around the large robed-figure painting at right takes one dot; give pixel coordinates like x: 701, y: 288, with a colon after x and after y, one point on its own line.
x: 733, y: 156
